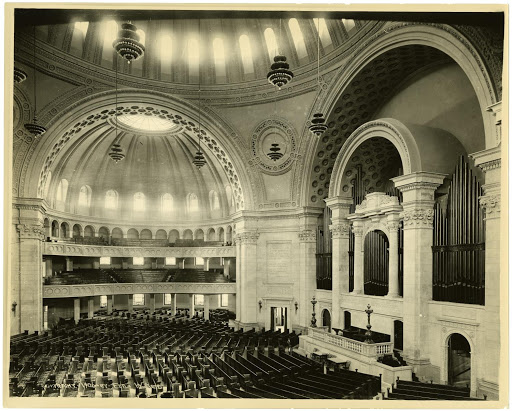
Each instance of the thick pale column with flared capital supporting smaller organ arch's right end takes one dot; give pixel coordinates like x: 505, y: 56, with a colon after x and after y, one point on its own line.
x: 418, y: 214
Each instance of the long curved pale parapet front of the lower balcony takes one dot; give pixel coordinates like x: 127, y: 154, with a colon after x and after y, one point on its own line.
x: 65, y: 291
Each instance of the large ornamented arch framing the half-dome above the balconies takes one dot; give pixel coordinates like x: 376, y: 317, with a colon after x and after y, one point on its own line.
x: 42, y: 152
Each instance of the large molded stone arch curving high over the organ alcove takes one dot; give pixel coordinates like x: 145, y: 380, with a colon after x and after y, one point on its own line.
x: 441, y: 37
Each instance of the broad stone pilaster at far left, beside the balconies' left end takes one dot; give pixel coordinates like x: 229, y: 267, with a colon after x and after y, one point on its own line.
x: 26, y: 283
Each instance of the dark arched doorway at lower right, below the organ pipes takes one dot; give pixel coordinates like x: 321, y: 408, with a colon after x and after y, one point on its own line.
x: 459, y: 361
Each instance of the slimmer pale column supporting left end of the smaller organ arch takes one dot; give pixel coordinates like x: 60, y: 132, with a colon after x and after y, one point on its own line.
x: 340, y: 231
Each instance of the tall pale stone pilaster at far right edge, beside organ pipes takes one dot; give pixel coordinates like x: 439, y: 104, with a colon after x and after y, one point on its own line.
x: 490, y: 162
